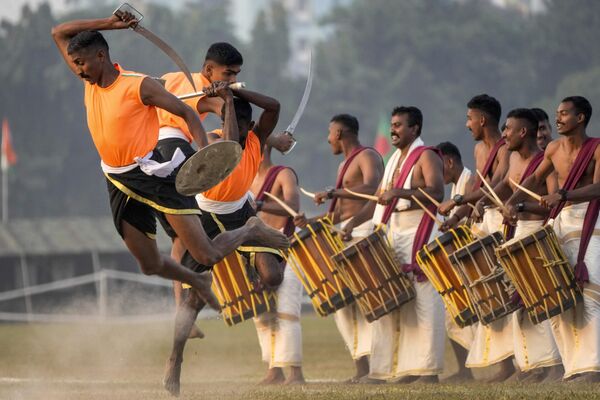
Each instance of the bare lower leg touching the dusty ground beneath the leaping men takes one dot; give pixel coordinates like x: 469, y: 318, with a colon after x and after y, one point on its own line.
x: 187, y: 313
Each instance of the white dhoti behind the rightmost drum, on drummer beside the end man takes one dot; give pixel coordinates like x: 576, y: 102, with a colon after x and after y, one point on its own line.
x: 534, y: 345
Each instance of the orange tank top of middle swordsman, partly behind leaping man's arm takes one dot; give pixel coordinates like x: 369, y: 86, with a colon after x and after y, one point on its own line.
x: 177, y: 83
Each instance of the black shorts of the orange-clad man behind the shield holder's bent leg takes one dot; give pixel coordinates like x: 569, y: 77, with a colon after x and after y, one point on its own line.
x: 215, y: 224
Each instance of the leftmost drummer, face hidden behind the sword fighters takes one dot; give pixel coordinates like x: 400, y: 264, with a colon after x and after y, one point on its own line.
x: 279, y: 332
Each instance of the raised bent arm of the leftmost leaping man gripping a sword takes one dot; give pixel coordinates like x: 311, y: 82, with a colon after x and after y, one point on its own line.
x: 64, y: 32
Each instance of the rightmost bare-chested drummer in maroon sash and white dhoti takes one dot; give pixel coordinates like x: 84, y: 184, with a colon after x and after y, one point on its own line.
x: 575, y: 158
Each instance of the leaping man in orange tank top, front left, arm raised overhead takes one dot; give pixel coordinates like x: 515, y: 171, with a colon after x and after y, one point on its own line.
x: 121, y: 113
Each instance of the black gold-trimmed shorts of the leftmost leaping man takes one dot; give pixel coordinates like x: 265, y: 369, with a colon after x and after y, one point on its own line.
x: 137, y: 198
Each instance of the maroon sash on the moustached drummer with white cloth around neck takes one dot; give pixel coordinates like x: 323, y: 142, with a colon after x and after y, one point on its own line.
x: 426, y: 225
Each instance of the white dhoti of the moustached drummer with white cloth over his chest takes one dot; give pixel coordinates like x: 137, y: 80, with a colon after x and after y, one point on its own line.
x: 411, y: 339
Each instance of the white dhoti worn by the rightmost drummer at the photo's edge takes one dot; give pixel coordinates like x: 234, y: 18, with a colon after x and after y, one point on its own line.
x: 577, y: 331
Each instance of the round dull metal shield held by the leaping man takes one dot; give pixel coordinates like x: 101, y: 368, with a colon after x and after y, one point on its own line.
x: 208, y: 167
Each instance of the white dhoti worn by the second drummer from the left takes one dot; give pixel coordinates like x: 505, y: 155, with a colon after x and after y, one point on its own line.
x: 353, y: 326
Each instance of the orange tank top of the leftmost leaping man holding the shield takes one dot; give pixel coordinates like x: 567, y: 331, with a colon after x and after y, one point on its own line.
x: 122, y: 126
